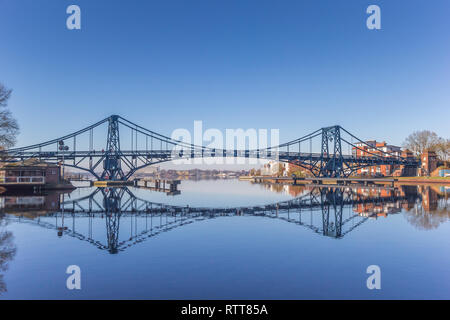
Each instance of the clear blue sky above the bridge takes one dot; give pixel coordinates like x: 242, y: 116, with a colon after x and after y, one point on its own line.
x: 292, y: 65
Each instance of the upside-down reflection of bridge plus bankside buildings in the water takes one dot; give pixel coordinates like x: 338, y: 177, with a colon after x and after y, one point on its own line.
x: 331, y: 212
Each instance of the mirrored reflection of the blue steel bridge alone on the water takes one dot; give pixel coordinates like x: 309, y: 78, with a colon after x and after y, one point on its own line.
x: 321, y: 210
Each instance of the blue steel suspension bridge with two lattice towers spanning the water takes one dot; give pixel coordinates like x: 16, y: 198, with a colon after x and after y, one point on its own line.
x: 327, y: 152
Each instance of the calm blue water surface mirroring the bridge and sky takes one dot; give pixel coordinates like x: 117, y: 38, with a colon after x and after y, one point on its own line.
x: 226, y: 239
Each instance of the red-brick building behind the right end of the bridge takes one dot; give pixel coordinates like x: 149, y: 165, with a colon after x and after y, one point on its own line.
x: 376, y: 149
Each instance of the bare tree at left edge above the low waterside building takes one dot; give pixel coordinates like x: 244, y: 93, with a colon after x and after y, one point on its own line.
x: 8, y: 125
